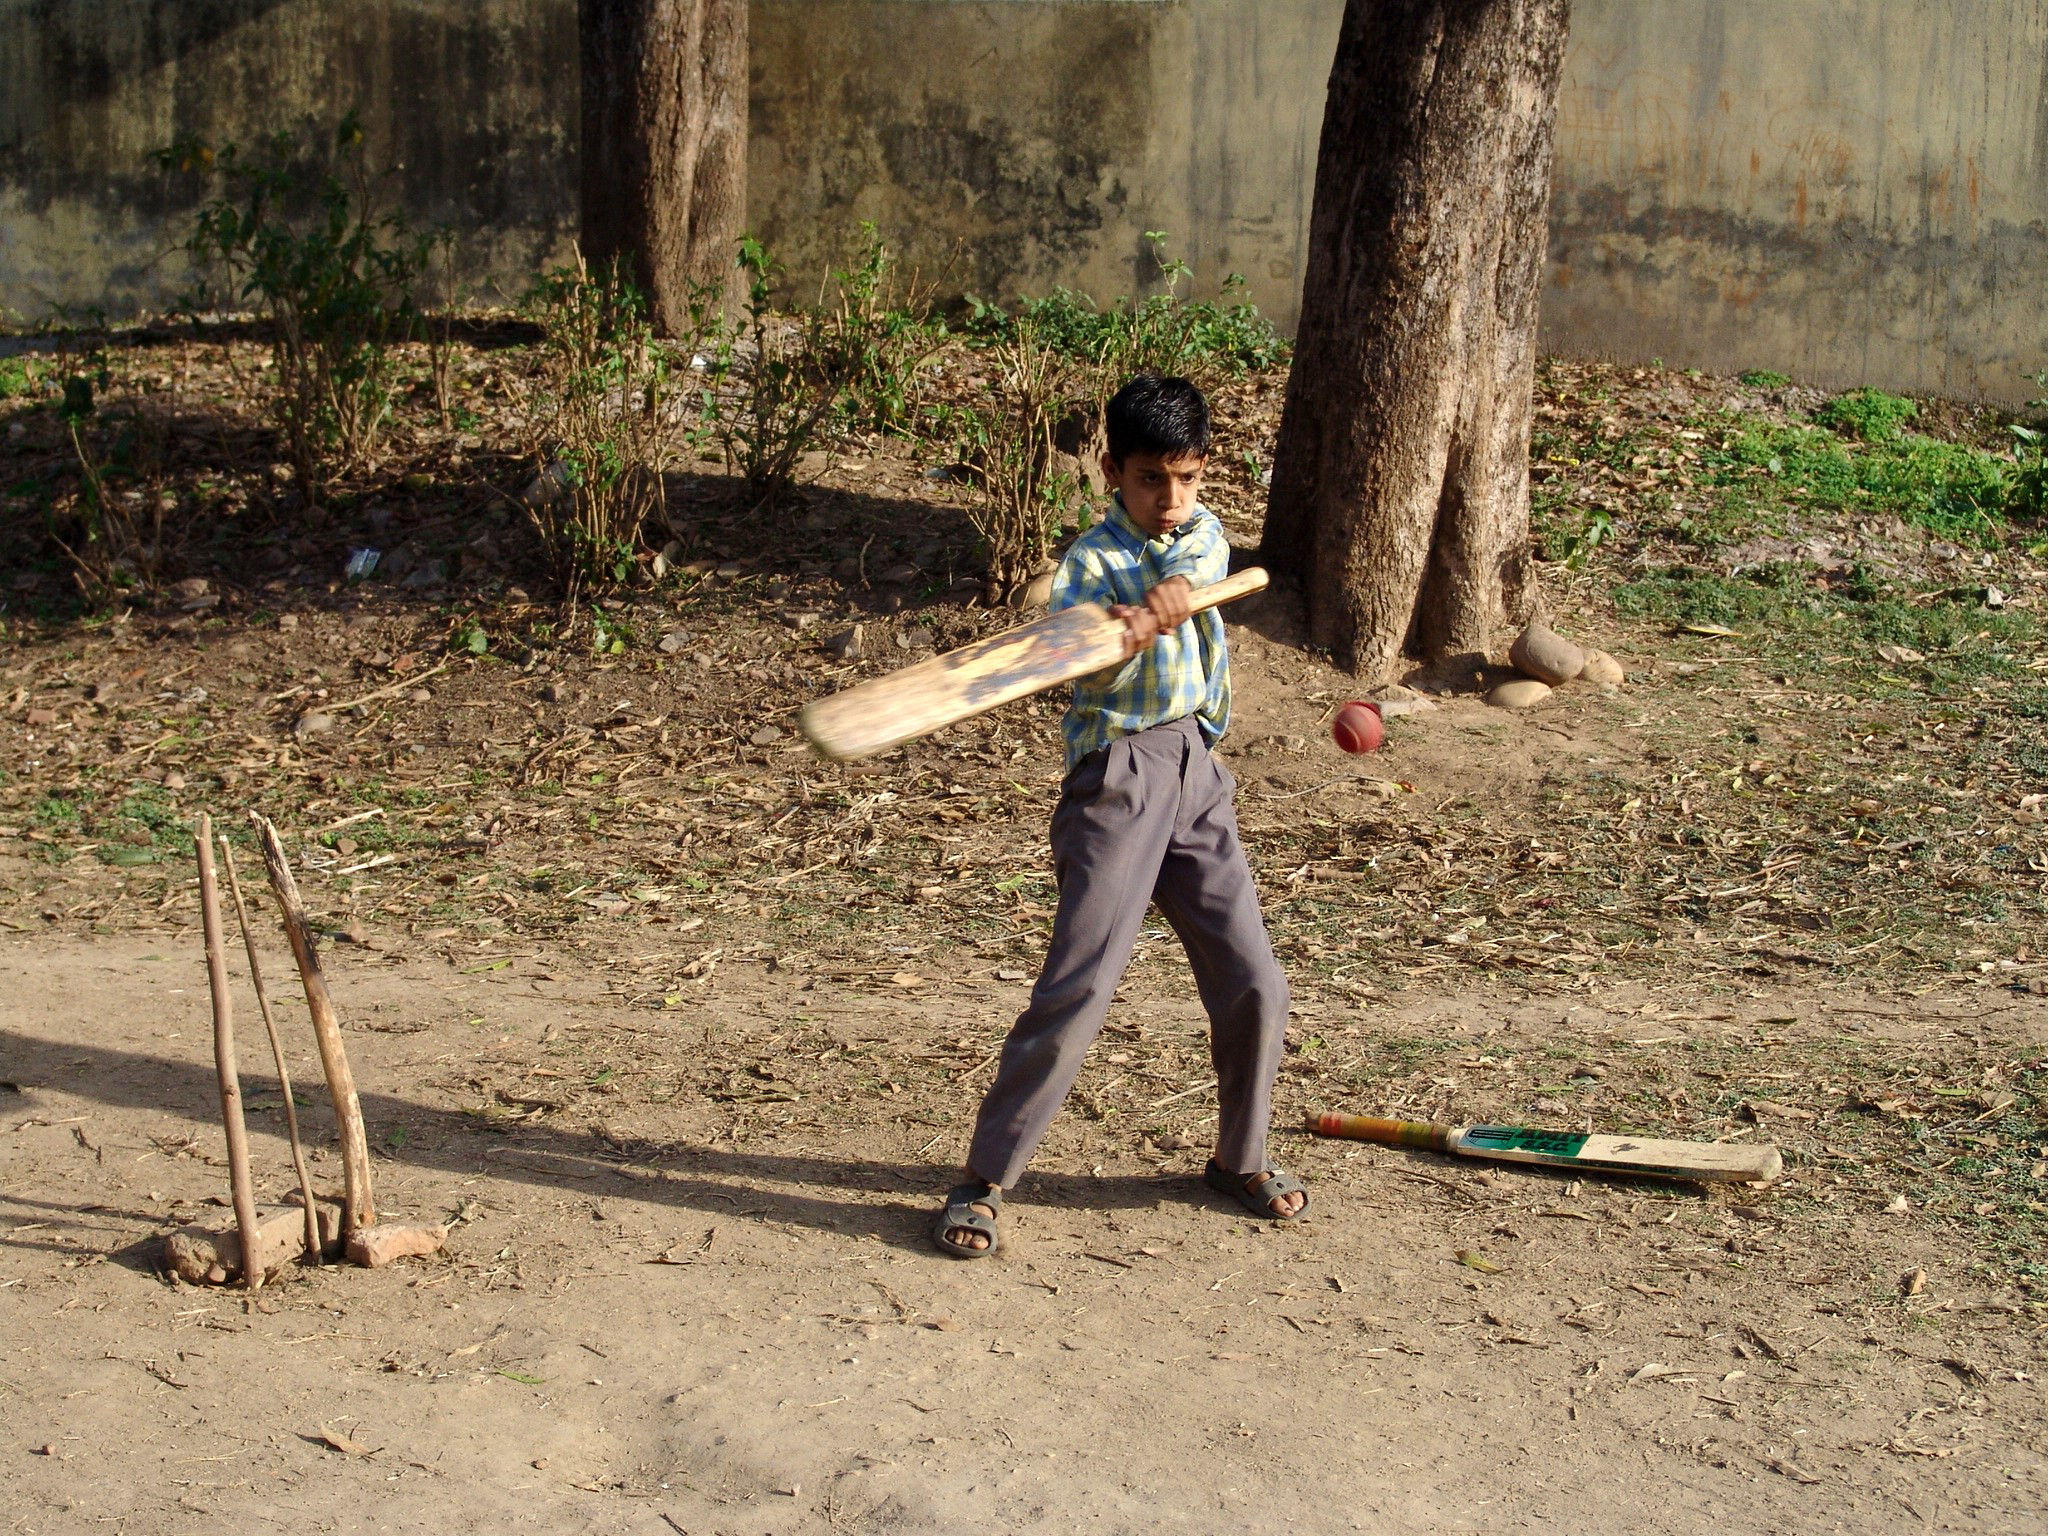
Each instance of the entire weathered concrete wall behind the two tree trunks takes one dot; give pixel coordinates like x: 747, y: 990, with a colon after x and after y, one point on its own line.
x: 1854, y: 191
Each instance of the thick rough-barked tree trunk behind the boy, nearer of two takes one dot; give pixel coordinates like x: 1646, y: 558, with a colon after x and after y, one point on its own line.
x: 1402, y: 478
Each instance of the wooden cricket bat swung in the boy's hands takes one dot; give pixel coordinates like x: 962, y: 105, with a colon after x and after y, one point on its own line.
x: 976, y: 679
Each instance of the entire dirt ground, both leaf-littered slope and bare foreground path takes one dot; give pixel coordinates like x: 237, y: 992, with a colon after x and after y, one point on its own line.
x: 683, y: 1031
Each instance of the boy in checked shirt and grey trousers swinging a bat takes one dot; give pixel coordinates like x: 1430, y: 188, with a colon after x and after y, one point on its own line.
x: 1144, y: 816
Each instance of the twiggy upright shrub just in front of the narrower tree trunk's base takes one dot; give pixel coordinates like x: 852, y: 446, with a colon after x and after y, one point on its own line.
x: 599, y: 425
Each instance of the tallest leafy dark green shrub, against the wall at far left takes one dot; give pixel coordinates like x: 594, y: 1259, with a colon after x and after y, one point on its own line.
x: 300, y: 234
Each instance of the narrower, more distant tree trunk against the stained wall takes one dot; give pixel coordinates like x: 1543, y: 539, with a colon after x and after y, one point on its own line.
x: 667, y: 144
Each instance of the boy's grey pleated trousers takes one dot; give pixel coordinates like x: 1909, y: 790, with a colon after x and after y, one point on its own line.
x: 1144, y: 820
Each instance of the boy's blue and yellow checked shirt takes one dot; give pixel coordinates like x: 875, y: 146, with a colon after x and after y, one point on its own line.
x: 1185, y: 673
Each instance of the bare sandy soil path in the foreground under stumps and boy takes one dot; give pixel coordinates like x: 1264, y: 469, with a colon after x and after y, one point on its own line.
x: 689, y: 1318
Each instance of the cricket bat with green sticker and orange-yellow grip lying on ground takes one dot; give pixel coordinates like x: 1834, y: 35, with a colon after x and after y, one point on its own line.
x: 1703, y: 1162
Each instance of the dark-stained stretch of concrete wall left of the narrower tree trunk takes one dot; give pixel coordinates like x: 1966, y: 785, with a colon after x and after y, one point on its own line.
x: 472, y: 103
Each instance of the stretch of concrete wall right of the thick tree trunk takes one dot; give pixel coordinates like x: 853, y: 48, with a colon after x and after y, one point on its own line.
x: 1852, y: 191
